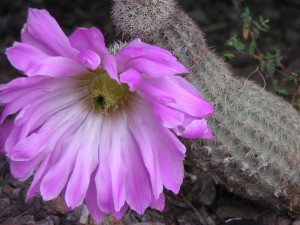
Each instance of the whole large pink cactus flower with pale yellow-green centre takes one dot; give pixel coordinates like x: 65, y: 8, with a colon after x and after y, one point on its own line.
x: 95, y: 127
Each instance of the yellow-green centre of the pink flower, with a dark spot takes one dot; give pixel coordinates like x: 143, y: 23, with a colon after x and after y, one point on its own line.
x: 107, y: 95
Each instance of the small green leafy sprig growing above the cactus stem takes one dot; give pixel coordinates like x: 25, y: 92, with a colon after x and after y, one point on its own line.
x: 270, y: 63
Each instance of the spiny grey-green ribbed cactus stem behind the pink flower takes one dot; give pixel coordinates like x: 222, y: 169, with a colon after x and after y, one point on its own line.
x: 256, y: 146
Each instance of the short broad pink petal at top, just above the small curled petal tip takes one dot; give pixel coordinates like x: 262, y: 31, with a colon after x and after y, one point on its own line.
x: 89, y: 39
